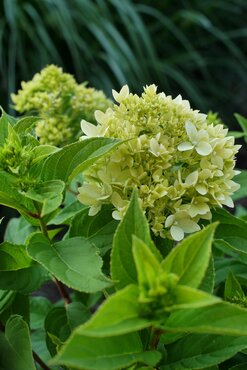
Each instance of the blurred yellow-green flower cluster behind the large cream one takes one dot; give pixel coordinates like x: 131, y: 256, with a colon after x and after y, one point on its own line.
x: 60, y: 102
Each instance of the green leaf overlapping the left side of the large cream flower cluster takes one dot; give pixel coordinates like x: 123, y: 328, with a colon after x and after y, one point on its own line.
x: 72, y: 159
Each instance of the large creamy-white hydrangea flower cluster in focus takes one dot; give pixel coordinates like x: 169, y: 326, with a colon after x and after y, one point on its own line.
x: 181, y: 165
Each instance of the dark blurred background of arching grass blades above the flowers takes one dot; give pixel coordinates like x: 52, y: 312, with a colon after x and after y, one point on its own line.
x: 196, y: 48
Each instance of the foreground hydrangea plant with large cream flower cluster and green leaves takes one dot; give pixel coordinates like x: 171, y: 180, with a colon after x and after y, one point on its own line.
x: 125, y: 298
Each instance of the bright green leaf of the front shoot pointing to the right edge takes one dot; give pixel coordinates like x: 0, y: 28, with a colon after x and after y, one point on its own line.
x: 221, y: 318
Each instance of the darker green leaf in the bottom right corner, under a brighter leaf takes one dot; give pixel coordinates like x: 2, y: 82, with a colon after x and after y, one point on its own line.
x: 197, y: 351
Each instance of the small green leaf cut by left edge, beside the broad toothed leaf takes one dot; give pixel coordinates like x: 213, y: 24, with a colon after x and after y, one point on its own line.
x: 13, y: 257
